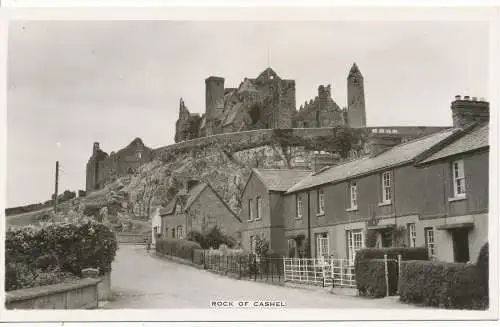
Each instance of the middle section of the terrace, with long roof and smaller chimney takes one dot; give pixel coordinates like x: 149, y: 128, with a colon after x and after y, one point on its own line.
x: 335, y: 207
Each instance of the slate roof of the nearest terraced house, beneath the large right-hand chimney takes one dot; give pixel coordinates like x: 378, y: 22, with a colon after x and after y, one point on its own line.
x: 473, y: 140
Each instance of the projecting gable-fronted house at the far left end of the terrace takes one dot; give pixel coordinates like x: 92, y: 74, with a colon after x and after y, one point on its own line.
x: 262, y: 206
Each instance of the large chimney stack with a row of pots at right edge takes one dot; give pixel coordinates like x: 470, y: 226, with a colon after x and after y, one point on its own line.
x: 467, y: 111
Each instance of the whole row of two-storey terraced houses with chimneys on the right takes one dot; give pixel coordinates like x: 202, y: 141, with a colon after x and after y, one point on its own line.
x: 431, y: 191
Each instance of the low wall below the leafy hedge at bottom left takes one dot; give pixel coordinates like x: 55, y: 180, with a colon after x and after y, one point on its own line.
x: 80, y: 294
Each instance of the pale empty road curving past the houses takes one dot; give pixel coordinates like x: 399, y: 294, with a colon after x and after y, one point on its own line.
x: 141, y: 280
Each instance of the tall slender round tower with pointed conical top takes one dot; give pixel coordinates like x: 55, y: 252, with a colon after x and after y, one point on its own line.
x: 356, y: 113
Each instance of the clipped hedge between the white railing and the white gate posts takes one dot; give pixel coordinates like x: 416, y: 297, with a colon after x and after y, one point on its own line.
x: 370, y: 269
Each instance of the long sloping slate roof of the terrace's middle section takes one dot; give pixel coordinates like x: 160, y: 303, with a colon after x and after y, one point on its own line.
x: 395, y: 156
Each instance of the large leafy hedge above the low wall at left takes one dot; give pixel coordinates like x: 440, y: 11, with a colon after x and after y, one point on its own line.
x: 57, y: 249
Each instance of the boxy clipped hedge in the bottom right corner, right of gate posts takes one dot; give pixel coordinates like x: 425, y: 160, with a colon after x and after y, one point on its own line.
x: 442, y: 284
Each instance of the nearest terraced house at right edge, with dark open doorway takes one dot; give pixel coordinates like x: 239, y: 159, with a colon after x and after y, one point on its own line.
x: 454, y: 212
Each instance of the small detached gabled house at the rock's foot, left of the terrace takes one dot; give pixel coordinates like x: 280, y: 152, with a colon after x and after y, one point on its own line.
x: 197, y: 207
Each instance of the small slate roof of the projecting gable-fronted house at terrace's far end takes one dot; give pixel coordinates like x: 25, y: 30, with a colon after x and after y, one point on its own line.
x: 280, y: 179
